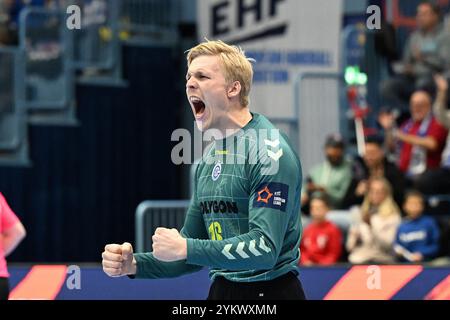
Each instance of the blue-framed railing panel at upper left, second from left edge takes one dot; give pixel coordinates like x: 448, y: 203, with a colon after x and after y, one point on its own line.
x: 47, y: 77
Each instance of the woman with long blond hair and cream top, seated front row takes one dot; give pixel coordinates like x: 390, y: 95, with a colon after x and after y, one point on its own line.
x: 371, y: 236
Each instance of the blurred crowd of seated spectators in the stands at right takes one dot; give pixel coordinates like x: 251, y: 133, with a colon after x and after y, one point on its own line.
x: 375, y: 208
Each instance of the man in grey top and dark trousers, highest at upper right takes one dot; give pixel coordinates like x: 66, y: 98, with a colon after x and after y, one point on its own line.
x: 427, y: 51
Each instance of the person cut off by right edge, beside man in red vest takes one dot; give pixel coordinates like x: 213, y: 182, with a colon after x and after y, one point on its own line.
x: 437, y: 181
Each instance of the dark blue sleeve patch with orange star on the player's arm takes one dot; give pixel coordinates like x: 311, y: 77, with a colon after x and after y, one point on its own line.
x: 271, y: 195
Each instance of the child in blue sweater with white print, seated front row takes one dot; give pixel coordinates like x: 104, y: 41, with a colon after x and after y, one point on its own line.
x: 417, y: 237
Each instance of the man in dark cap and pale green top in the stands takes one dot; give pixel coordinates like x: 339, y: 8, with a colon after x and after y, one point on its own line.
x: 333, y: 176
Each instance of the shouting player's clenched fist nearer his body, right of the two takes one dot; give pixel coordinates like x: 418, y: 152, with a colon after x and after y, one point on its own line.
x: 169, y: 245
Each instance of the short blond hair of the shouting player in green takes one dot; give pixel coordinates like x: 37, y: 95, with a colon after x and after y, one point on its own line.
x: 236, y: 66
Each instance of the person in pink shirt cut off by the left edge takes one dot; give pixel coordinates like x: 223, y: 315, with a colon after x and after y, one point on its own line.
x: 11, y: 234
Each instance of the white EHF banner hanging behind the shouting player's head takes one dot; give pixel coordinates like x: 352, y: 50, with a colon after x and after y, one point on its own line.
x: 285, y: 37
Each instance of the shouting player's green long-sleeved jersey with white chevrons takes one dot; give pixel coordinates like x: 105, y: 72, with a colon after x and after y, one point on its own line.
x: 243, y: 221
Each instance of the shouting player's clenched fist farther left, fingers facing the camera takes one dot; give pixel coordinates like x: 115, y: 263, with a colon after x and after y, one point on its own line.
x: 118, y: 260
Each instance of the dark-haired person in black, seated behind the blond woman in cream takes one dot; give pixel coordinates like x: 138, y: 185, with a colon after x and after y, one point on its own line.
x: 374, y: 164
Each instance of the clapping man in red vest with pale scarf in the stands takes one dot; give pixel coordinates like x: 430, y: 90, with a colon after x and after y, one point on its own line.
x: 419, y: 142
